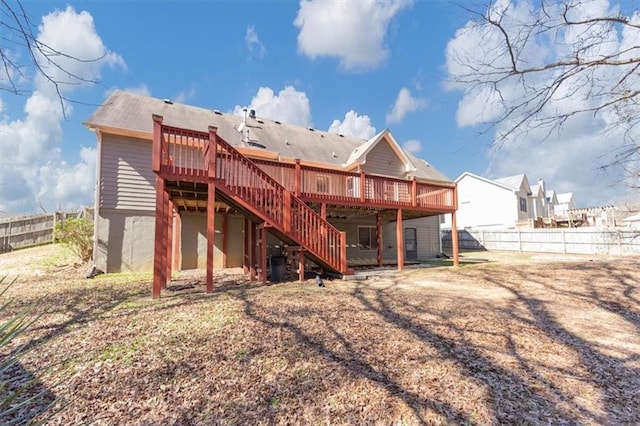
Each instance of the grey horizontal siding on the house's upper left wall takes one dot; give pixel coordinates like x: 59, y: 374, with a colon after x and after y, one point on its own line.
x: 126, y: 178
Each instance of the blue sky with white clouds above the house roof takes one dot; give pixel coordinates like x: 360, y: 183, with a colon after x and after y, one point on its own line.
x: 356, y: 65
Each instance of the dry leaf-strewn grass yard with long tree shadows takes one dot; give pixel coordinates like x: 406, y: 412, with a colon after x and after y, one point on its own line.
x: 522, y: 339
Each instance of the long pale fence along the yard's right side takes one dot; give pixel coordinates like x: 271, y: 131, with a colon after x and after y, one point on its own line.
x: 613, y: 241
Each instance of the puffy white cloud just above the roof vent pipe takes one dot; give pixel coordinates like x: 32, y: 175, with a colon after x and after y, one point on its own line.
x: 288, y: 106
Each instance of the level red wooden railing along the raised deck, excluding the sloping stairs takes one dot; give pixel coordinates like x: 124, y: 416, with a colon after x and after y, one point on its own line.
x: 181, y: 154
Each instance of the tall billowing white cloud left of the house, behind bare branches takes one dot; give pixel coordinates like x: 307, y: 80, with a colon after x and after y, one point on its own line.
x: 33, y: 174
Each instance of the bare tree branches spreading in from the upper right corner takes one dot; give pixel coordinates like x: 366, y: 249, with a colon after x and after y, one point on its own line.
x: 541, y: 63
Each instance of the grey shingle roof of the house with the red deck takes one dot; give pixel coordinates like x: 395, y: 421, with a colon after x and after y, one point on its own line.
x: 132, y: 112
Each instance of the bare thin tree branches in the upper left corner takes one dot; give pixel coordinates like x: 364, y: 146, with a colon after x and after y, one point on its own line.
x: 23, y: 56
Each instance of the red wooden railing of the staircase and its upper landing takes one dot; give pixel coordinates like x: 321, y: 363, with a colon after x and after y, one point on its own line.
x: 243, y: 179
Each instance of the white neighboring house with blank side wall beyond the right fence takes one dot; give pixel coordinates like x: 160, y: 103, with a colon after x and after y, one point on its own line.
x: 492, y: 204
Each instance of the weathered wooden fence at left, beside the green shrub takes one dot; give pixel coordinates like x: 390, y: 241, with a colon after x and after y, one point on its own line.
x: 27, y: 231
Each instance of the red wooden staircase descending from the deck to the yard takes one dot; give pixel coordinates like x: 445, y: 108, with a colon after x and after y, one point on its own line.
x: 246, y: 187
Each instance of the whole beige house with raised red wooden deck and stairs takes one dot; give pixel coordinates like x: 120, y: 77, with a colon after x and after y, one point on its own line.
x: 181, y: 187
